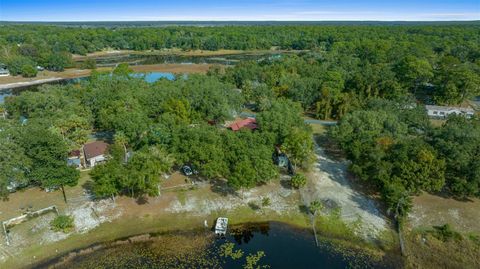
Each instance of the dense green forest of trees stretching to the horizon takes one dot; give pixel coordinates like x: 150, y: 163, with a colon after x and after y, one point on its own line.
x: 373, y: 79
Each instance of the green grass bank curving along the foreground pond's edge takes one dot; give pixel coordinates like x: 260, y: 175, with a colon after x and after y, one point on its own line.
x: 148, y: 223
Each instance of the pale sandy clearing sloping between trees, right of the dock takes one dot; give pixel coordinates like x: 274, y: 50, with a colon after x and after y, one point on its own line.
x: 328, y: 183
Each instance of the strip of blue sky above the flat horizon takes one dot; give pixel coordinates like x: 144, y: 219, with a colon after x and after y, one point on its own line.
x: 123, y: 10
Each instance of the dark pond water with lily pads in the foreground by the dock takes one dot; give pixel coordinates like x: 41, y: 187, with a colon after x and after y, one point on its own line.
x: 283, y: 246
